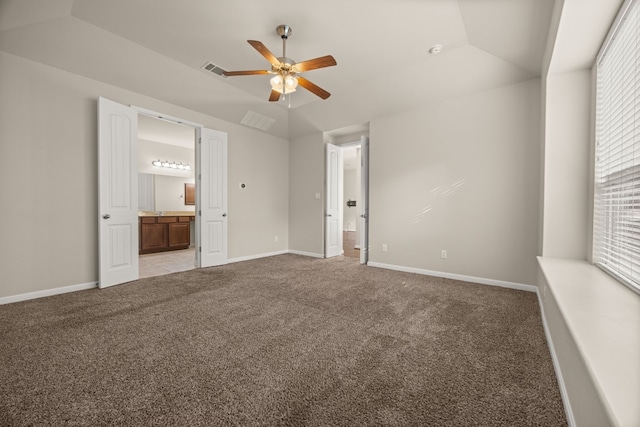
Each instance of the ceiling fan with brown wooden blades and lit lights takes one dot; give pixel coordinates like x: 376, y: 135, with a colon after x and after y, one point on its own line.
x: 286, y: 70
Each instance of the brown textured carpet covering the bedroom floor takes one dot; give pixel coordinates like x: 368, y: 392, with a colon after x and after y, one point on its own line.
x: 286, y: 340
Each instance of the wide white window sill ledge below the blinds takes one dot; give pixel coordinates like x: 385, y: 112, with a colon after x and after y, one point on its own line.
x: 603, y: 319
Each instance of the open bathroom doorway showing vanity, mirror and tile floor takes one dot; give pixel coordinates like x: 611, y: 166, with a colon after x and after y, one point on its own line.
x: 166, y: 179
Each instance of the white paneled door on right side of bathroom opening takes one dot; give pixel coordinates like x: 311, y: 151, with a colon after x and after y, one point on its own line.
x: 212, y: 198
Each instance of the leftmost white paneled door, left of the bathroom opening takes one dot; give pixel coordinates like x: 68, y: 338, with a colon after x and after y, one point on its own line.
x: 118, y: 193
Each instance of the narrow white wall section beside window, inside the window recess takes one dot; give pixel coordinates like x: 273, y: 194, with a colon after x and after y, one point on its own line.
x: 567, y: 160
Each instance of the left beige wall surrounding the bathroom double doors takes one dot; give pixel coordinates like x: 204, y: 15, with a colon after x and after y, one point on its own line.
x: 48, y: 128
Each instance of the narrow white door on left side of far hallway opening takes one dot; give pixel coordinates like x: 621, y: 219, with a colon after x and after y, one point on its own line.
x: 333, y: 213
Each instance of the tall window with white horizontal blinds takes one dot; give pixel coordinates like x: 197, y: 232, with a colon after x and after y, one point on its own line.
x: 616, y: 246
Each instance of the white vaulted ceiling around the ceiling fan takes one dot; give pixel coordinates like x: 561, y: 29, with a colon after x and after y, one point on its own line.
x: 157, y: 48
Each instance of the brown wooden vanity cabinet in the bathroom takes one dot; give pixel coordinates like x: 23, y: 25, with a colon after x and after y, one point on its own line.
x: 164, y: 233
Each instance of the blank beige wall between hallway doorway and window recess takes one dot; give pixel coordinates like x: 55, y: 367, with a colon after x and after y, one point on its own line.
x: 461, y: 176
